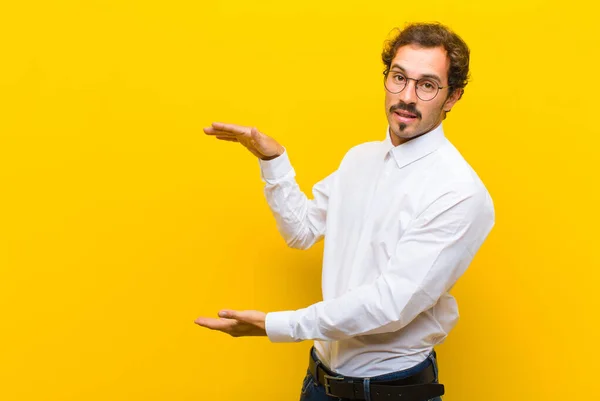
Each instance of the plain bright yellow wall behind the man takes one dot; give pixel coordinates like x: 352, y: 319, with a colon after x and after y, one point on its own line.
x: 121, y: 222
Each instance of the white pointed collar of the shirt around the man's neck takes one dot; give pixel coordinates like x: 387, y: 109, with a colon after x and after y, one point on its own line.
x: 414, y: 149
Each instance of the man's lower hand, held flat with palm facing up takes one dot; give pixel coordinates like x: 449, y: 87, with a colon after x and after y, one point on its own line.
x: 236, y: 323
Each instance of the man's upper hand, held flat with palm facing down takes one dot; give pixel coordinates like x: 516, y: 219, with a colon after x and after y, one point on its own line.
x: 259, y: 144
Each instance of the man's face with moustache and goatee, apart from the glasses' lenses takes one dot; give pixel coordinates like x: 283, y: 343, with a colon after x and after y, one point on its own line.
x: 408, y: 116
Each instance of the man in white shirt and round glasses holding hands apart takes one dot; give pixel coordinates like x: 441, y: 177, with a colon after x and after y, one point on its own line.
x: 402, y: 220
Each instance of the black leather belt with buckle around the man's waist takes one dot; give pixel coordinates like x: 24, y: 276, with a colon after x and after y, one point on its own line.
x: 417, y: 387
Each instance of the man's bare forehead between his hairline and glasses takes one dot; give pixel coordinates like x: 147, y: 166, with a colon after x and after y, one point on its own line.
x: 417, y: 61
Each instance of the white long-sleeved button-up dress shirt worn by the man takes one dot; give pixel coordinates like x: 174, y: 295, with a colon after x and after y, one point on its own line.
x: 401, y: 224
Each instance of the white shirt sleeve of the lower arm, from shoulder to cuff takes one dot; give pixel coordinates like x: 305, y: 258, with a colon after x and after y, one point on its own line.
x: 430, y: 256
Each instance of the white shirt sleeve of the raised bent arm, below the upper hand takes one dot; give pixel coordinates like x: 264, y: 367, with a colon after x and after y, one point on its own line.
x: 300, y: 221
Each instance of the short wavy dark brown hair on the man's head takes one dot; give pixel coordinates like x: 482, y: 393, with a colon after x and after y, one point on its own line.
x: 430, y: 35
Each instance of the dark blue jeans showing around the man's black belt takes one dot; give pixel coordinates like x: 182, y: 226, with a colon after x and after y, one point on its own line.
x: 312, y: 391
